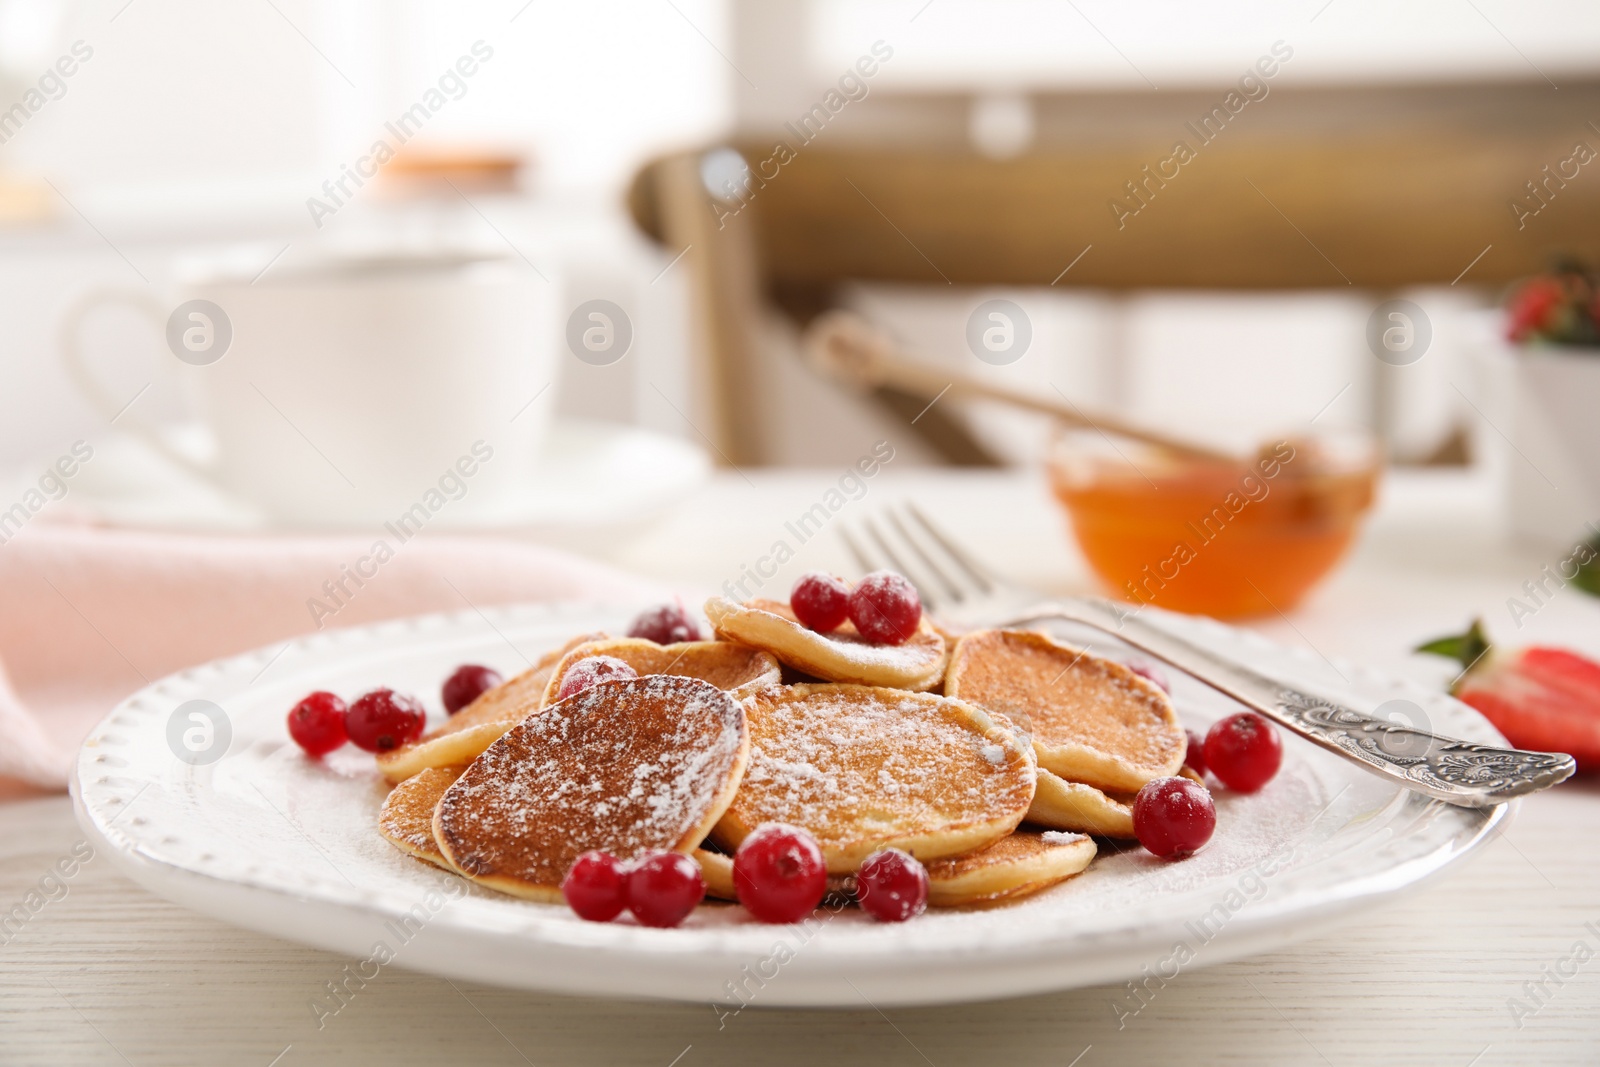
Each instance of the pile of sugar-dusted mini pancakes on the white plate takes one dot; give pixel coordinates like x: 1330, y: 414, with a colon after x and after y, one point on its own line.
x: 991, y: 757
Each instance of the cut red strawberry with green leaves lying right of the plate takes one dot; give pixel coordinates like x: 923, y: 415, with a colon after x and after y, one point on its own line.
x: 1540, y: 698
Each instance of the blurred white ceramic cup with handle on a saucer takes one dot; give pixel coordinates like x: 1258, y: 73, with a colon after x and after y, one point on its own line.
x: 348, y: 391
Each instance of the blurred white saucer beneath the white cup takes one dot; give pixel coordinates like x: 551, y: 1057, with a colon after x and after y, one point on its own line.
x: 593, y: 478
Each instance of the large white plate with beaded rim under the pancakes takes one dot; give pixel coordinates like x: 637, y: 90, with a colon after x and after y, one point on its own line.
x: 274, y: 842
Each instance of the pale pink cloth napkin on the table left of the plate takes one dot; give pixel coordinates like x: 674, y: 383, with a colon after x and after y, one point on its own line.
x: 90, y: 615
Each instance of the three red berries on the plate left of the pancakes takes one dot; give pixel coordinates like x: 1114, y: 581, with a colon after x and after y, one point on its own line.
x: 380, y: 719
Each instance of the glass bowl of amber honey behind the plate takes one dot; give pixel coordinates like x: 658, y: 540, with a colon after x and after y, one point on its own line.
x: 1228, y: 537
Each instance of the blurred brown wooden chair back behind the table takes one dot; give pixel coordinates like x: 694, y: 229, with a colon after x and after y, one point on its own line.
x: 1377, y: 212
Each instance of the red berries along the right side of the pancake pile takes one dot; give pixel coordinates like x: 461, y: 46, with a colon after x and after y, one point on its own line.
x: 1174, y: 817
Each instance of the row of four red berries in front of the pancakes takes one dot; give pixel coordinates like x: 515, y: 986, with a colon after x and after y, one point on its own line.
x: 778, y: 876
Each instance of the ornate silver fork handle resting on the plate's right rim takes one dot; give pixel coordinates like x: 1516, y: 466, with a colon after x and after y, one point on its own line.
x: 1447, y: 769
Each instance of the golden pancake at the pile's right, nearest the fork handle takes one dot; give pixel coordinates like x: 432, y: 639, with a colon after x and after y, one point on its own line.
x: 1092, y: 721
